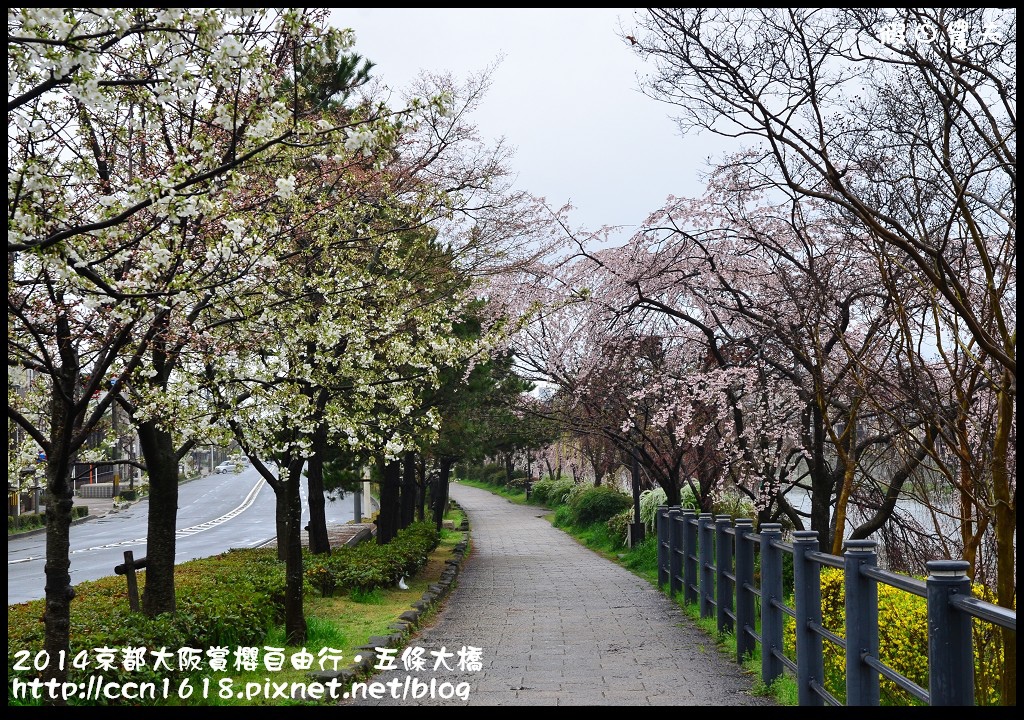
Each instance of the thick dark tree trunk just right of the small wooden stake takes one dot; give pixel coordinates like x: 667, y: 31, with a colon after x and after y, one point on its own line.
x: 162, y: 464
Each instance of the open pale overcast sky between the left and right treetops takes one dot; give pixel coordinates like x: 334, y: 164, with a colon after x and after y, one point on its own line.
x: 566, y: 97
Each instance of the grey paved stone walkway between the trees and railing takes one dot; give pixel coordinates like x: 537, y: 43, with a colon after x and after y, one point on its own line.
x: 560, y: 625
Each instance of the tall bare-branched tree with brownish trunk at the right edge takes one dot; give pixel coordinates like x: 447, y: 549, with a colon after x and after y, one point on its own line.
x: 903, y: 123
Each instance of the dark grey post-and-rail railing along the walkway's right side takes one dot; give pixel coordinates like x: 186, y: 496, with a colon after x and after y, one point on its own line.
x: 712, y: 562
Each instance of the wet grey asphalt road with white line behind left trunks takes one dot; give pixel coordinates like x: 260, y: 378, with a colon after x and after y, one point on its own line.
x: 216, y: 514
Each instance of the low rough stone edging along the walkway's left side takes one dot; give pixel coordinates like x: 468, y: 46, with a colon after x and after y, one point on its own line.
x: 409, y: 621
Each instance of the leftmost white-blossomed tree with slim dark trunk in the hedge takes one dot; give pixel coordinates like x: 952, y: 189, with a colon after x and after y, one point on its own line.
x: 125, y: 125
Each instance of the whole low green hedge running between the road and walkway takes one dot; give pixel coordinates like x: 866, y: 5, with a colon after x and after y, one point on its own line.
x: 227, y: 601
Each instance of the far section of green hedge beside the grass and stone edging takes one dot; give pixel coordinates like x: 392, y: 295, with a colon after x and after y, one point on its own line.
x: 370, y: 566
